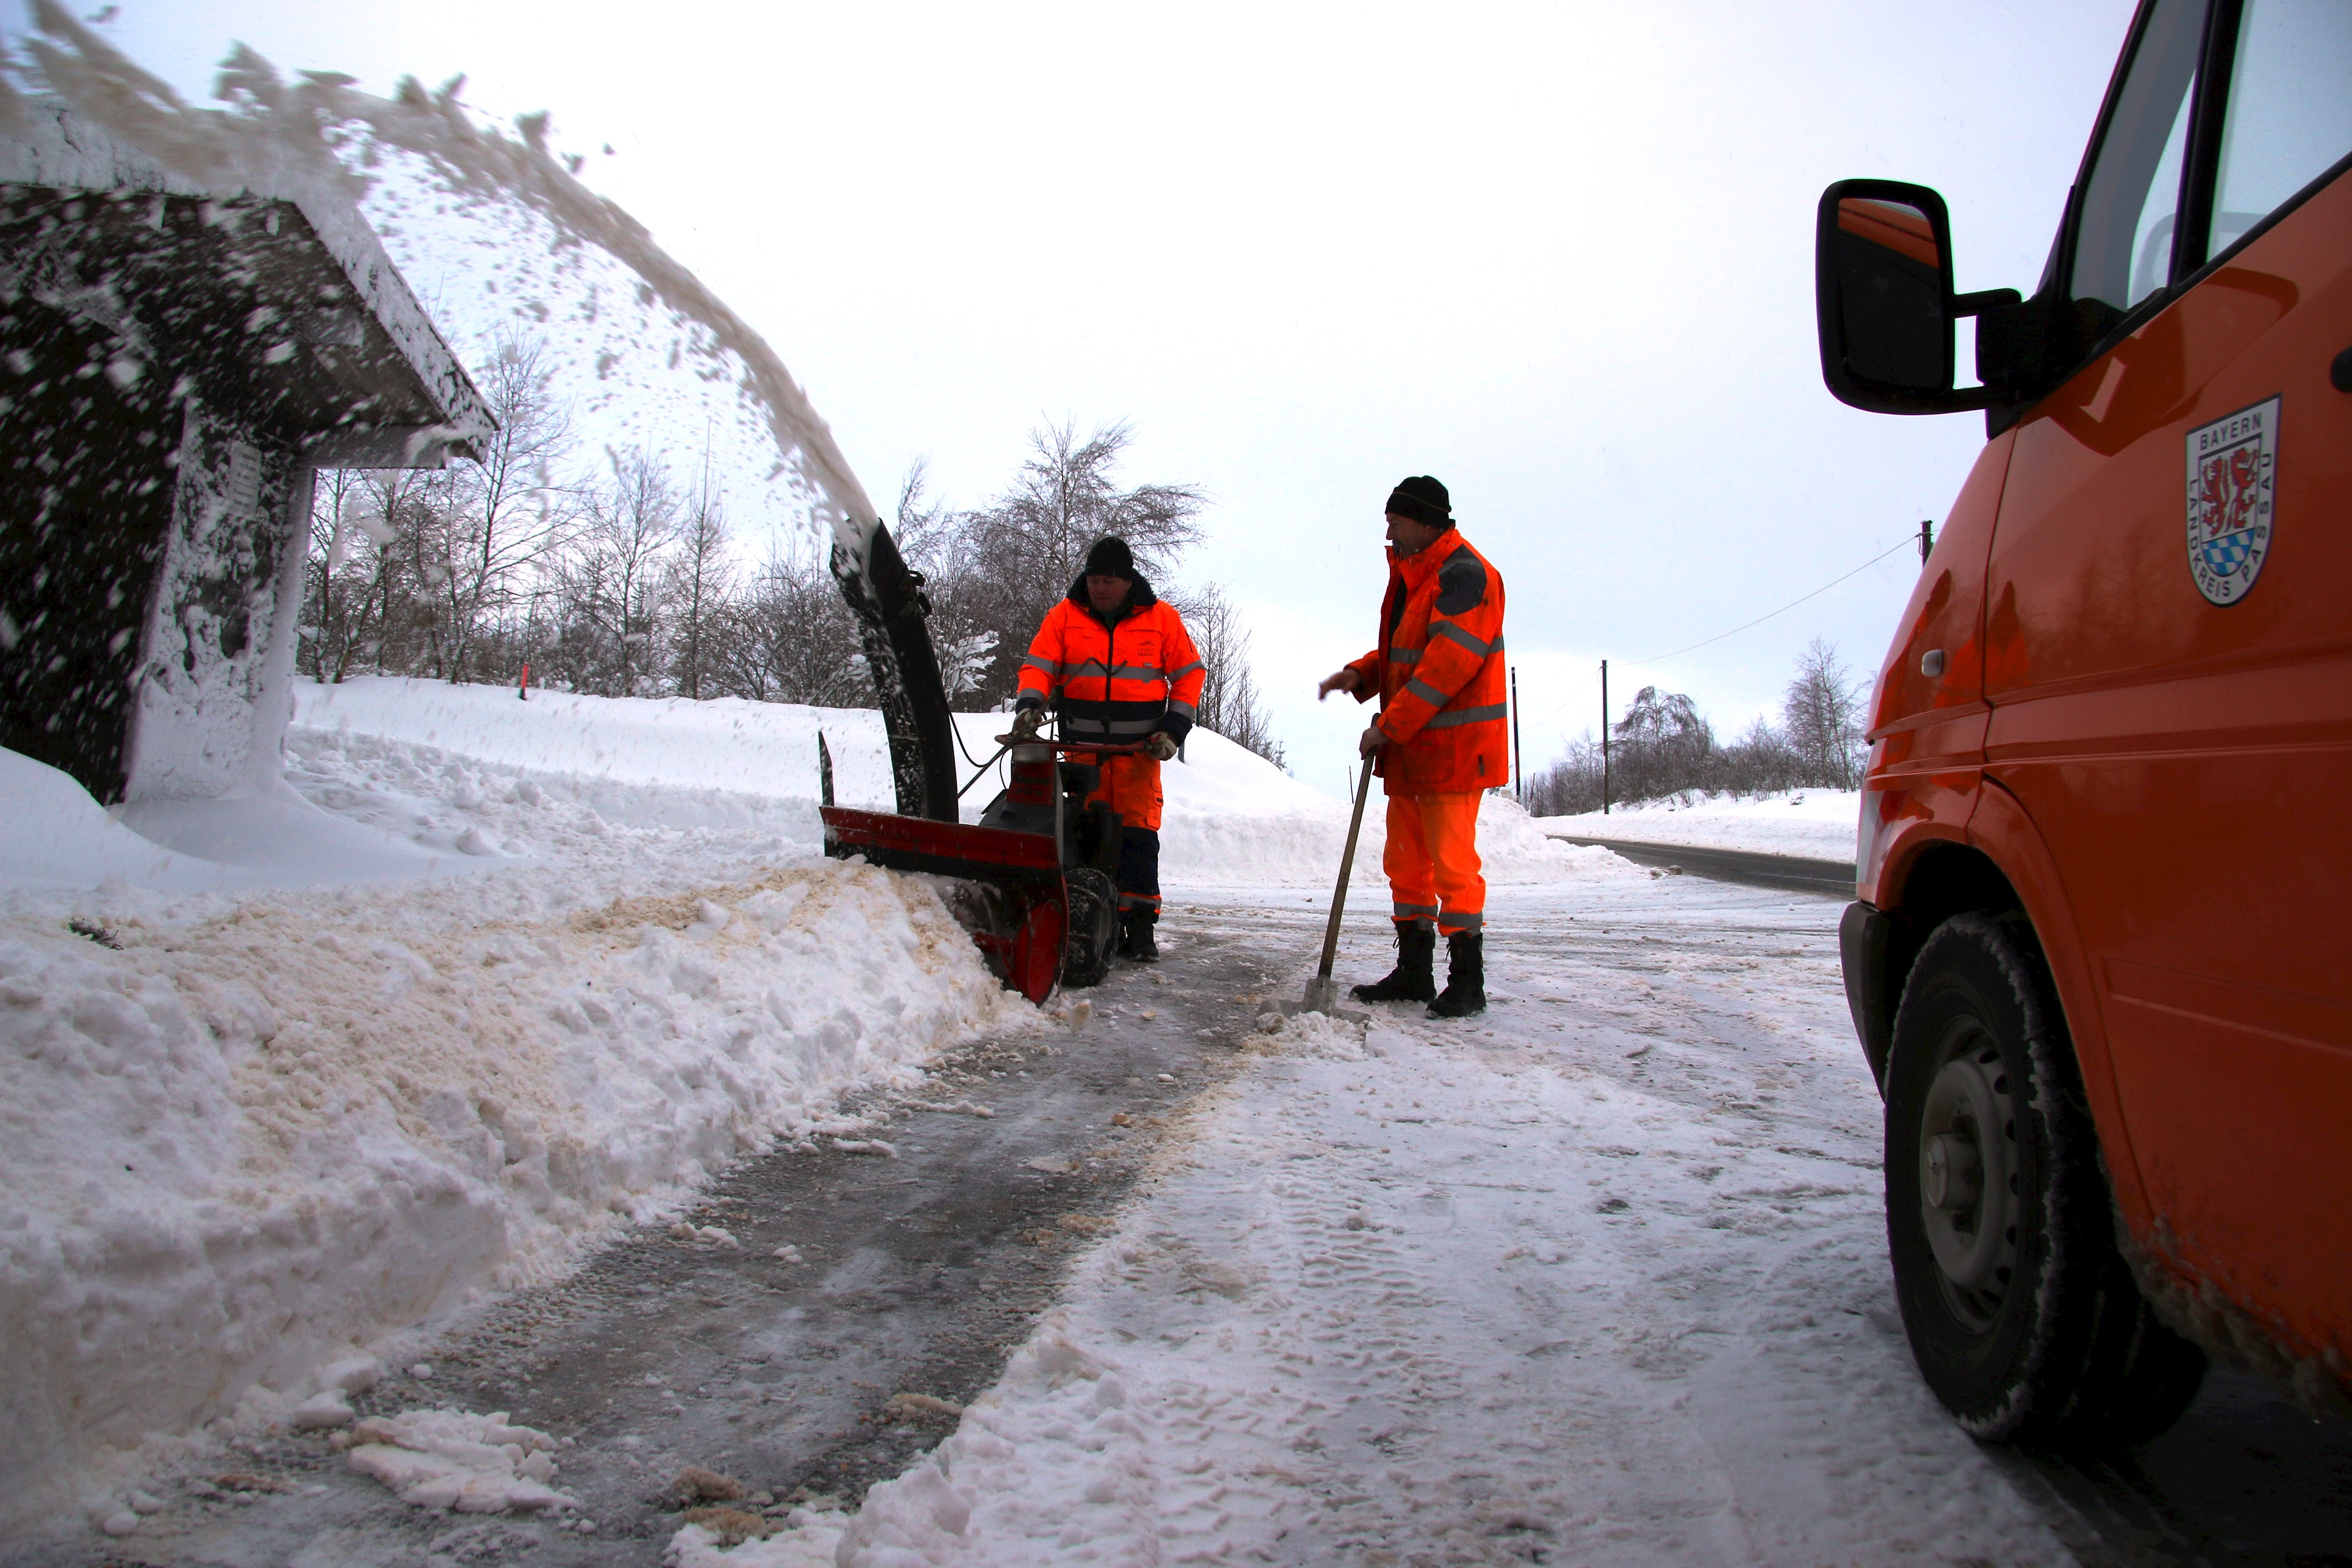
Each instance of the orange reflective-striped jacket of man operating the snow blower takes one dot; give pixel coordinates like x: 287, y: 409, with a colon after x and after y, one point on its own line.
x: 1118, y: 681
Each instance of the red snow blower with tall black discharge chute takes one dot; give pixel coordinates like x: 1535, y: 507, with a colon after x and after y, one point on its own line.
x: 1034, y: 880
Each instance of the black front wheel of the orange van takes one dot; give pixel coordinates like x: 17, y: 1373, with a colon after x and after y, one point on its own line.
x: 2000, y: 1226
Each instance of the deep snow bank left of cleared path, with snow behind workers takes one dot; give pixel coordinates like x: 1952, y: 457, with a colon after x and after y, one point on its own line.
x: 290, y: 1073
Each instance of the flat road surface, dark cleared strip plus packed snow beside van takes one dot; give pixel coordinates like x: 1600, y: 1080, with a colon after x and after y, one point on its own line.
x: 1593, y: 1280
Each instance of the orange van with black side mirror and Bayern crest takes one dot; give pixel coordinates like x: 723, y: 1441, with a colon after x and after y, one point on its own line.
x: 2102, y: 956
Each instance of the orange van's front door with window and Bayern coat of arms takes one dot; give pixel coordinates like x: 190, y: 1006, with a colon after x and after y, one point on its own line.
x: 2170, y: 645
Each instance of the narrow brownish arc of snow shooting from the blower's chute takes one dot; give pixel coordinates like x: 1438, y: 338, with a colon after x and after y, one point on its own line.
x: 279, y: 130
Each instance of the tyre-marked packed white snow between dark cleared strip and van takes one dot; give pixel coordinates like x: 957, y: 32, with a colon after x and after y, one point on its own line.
x: 1593, y: 1280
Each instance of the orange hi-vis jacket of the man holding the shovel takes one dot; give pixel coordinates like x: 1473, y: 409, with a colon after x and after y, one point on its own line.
x: 1441, y: 674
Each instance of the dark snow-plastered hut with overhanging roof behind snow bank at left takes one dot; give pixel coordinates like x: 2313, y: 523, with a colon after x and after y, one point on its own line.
x: 178, y: 361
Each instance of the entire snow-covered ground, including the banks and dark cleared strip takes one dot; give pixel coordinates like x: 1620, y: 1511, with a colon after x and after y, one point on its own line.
x: 1591, y: 1280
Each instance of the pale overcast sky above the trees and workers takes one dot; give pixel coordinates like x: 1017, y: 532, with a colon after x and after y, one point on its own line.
x: 1556, y: 255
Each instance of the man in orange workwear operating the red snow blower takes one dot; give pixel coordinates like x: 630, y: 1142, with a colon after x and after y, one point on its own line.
x: 1118, y: 669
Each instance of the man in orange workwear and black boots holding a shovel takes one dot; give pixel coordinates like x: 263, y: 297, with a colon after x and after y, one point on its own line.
x: 1441, y: 744
